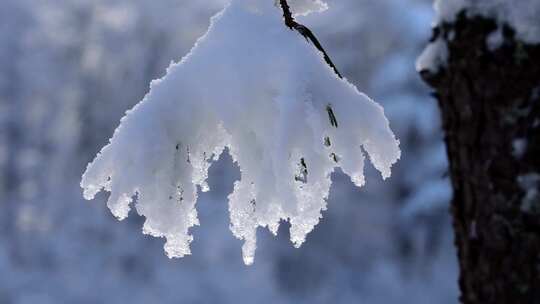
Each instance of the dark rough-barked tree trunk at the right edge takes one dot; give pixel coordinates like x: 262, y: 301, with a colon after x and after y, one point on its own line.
x: 490, y: 104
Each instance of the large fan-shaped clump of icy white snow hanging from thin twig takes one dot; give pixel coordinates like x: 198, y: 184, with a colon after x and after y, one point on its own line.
x: 259, y: 89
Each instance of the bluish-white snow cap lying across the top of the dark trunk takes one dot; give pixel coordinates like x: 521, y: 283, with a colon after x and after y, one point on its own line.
x: 522, y: 15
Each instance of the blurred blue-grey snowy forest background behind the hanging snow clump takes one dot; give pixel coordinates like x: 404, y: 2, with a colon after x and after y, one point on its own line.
x: 70, y: 69
